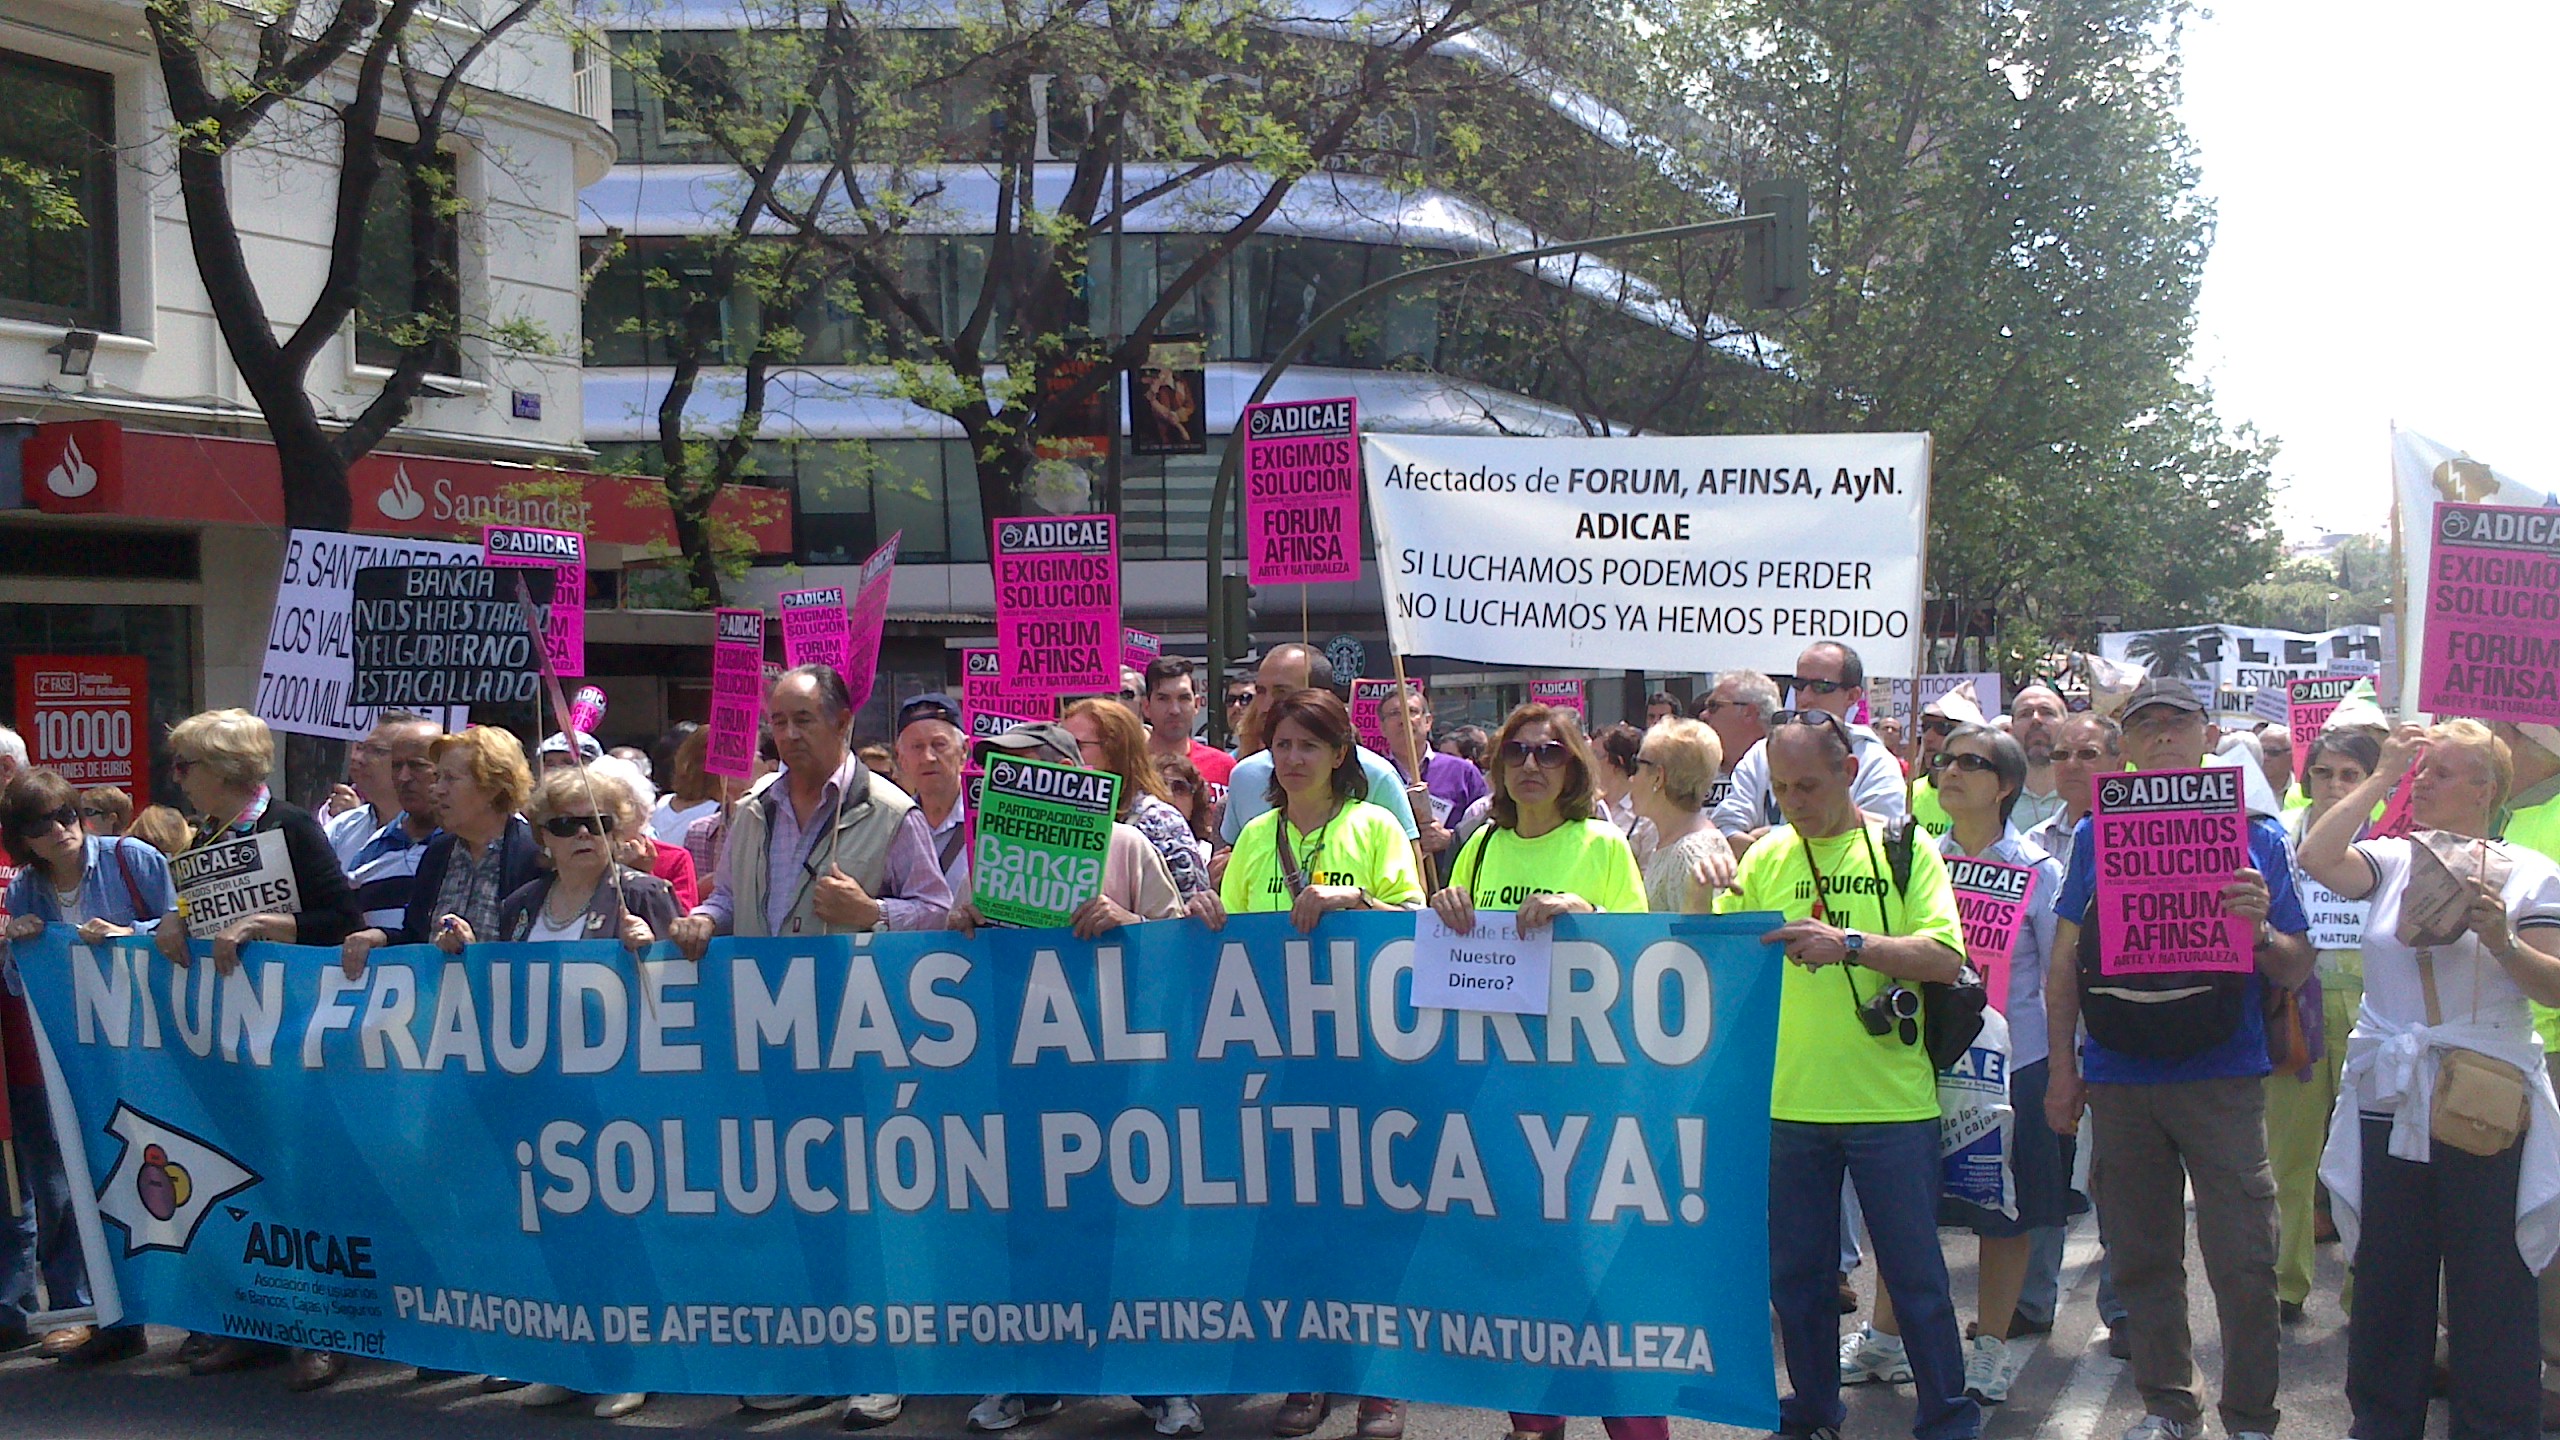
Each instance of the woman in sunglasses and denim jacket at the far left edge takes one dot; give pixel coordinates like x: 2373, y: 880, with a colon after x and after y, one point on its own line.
x: 106, y: 888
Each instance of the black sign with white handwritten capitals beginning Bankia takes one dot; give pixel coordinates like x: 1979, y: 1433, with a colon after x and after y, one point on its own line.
x: 447, y: 637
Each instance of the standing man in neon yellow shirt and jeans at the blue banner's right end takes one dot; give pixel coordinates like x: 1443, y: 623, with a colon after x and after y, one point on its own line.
x: 1855, y: 1090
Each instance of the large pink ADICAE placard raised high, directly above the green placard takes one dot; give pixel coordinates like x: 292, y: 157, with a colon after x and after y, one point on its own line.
x: 1059, y: 603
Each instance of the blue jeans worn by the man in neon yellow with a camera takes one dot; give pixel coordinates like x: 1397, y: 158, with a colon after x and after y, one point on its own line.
x: 1896, y: 1172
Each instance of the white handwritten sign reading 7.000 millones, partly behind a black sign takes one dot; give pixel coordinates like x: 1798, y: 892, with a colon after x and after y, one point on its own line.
x: 311, y: 637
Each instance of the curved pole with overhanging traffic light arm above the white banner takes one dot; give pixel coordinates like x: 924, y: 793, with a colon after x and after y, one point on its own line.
x: 1775, y: 270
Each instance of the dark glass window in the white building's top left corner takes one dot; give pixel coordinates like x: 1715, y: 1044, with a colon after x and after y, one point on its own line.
x: 58, y: 193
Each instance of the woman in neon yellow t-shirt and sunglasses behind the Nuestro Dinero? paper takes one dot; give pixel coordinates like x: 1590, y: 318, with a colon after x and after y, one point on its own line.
x: 1545, y: 852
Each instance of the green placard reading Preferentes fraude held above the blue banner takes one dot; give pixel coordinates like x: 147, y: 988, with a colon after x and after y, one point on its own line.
x: 1043, y: 834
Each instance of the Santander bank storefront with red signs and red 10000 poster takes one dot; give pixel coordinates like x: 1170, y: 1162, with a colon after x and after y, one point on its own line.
x: 160, y: 552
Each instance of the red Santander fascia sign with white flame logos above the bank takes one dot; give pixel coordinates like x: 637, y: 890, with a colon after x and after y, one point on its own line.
x: 99, y: 468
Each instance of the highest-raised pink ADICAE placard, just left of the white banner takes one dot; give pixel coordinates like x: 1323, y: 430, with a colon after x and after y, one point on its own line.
x: 1302, y: 491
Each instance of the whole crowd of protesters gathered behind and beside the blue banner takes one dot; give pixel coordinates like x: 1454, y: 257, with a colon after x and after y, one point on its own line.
x: 2377, y: 1080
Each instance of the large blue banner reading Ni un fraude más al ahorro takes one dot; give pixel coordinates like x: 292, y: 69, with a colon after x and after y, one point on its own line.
x: 1161, y: 1162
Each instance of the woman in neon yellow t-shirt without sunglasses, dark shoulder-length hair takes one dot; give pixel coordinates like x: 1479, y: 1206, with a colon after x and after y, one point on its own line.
x: 1322, y: 844
